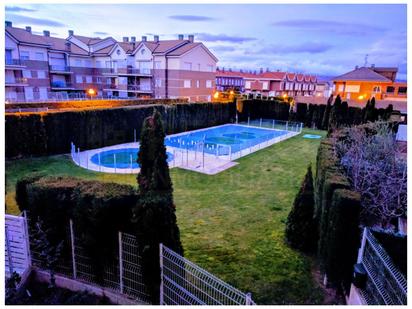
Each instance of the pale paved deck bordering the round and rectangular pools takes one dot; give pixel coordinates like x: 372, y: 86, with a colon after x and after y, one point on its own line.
x: 196, y: 161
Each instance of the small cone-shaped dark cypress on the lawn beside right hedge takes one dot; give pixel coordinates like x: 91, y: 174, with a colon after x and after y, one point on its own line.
x: 301, y: 228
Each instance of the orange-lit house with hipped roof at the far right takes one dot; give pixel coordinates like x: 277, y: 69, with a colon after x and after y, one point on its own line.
x: 363, y: 83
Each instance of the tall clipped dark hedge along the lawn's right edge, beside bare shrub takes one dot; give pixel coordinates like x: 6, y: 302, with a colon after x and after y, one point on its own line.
x: 337, y: 210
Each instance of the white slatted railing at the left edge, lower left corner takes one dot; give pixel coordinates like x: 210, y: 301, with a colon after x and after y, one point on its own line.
x: 17, y: 253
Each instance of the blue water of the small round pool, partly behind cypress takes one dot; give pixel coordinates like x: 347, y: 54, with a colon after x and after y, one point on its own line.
x: 125, y: 158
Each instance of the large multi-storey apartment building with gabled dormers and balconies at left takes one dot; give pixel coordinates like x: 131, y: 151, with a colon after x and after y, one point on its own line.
x: 40, y: 67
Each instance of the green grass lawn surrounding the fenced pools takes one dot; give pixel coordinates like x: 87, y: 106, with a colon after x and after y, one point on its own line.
x: 232, y: 224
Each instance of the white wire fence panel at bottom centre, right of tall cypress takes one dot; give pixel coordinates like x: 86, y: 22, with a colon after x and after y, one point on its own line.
x: 185, y: 283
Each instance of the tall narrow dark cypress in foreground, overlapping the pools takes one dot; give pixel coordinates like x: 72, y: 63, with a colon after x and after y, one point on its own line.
x: 154, y: 214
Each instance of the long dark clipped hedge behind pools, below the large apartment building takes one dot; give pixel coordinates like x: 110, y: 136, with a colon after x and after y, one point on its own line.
x: 51, y: 133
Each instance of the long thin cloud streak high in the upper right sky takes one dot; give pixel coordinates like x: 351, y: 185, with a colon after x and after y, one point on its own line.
x: 329, y: 26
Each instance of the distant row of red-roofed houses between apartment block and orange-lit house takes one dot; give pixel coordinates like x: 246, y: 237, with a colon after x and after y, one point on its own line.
x: 268, y: 83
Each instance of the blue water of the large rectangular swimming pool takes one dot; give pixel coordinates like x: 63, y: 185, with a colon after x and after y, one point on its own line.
x: 224, y: 139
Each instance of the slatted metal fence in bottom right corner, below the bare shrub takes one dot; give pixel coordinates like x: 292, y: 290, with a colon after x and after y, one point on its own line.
x: 385, y: 283
